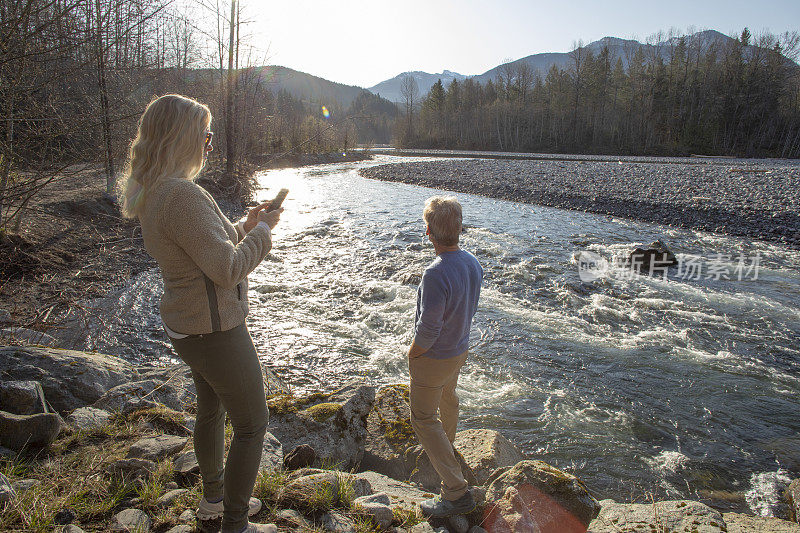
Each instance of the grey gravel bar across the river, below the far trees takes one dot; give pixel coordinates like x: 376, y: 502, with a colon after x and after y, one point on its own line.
x: 758, y: 199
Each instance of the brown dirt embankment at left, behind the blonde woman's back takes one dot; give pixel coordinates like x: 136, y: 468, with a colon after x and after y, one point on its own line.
x: 73, y: 245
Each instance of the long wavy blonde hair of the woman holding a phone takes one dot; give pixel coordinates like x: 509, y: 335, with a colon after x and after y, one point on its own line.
x: 170, y: 143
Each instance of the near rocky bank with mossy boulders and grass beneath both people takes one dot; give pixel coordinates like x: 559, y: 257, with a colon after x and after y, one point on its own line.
x: 92, y: 443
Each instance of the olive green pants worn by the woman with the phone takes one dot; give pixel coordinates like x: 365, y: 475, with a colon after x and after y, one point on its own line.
x: 227, y: 374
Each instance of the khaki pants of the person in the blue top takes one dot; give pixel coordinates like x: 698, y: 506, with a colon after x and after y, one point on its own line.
x: 434, y: 416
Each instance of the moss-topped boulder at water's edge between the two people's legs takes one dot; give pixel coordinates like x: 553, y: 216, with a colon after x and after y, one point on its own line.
x: 333, y: 424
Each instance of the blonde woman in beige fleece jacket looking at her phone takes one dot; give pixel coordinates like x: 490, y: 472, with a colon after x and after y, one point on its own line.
x: 204, y: 260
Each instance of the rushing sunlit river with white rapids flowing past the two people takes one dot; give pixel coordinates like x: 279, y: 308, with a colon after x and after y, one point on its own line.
x: 683, y: 388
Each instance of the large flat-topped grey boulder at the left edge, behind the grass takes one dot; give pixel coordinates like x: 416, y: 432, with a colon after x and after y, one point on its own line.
x: 70, y: 379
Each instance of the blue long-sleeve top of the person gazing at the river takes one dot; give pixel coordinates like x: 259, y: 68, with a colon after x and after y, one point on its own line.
x: 447, y: 299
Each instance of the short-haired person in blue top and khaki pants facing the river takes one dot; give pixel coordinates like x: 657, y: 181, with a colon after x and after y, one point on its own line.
x: 446, y: 302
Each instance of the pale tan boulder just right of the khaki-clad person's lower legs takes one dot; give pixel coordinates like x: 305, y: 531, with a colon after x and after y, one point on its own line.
x: 486, y: 450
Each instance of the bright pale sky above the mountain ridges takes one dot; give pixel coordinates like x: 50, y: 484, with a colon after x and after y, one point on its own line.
x: 363, y: 42
